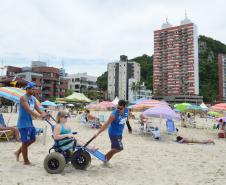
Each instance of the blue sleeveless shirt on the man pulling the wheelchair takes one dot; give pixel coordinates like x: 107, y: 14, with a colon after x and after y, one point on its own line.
x: 117, y: 126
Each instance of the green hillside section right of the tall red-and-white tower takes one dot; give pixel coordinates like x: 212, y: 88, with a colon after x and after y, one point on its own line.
x: 208, y: 67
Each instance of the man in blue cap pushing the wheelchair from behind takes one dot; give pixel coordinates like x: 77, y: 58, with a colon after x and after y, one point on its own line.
x: 27, y: 131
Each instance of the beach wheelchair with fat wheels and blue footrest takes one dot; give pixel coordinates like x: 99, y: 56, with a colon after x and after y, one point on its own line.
x: 79, y: 156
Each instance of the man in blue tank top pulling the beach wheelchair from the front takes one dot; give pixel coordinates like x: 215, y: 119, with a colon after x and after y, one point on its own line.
x: 115, y: 125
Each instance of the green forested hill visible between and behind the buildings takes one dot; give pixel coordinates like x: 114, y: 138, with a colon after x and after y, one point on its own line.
x: 208, y: 69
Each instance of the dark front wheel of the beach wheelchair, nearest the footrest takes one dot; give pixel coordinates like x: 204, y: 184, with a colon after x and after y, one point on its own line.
x: 81, y: 159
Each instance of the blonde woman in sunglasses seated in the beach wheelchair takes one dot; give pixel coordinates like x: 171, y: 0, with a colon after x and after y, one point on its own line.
x: 63, y: 135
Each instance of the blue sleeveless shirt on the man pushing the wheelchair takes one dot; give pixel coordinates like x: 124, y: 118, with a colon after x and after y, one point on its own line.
x: 25, y: 119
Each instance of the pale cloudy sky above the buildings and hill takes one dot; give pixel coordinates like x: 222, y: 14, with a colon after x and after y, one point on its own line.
x: 86, y: 35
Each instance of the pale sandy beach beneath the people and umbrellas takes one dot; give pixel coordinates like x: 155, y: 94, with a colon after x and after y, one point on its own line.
x: 143, y: 161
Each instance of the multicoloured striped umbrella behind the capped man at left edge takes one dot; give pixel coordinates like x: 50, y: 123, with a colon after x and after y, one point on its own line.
x: 14, y: 94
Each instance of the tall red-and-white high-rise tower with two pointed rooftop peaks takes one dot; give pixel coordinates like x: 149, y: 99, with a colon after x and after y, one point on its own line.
x: 176, y: 60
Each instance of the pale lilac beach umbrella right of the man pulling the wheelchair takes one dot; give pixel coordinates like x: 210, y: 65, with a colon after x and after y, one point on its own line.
x: 161, y: 112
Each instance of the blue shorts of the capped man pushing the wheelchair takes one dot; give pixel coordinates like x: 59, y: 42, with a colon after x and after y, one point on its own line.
x: 27, y: 134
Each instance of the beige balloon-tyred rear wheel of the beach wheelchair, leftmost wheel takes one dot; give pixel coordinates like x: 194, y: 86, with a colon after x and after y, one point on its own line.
x: 54, y: 163
